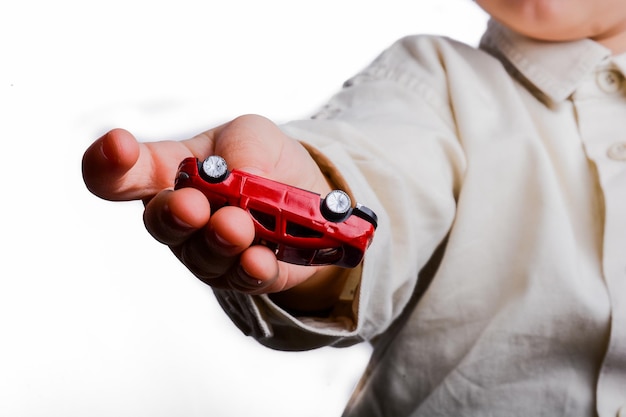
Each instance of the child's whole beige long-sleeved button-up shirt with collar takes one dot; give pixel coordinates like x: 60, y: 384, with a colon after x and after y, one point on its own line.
x: 513, y: 159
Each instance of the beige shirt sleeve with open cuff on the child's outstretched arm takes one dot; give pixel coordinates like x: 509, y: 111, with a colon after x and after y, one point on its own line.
x: 390, y: 135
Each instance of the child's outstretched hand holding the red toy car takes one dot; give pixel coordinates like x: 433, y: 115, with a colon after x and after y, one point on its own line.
x: 214, y: 246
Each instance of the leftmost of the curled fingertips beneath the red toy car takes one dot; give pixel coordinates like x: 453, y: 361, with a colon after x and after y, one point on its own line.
x: 172, y: 217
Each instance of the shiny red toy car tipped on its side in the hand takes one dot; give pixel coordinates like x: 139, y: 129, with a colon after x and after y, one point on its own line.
x: 298, y: 225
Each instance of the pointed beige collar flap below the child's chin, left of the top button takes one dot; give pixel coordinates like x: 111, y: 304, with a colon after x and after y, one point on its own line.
x: 555, y: 69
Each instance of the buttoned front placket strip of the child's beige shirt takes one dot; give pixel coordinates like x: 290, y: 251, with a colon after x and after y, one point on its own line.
x: 600, y: 104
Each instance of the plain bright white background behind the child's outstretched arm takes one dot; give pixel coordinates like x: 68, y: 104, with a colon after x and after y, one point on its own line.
x: 97, y: 319
